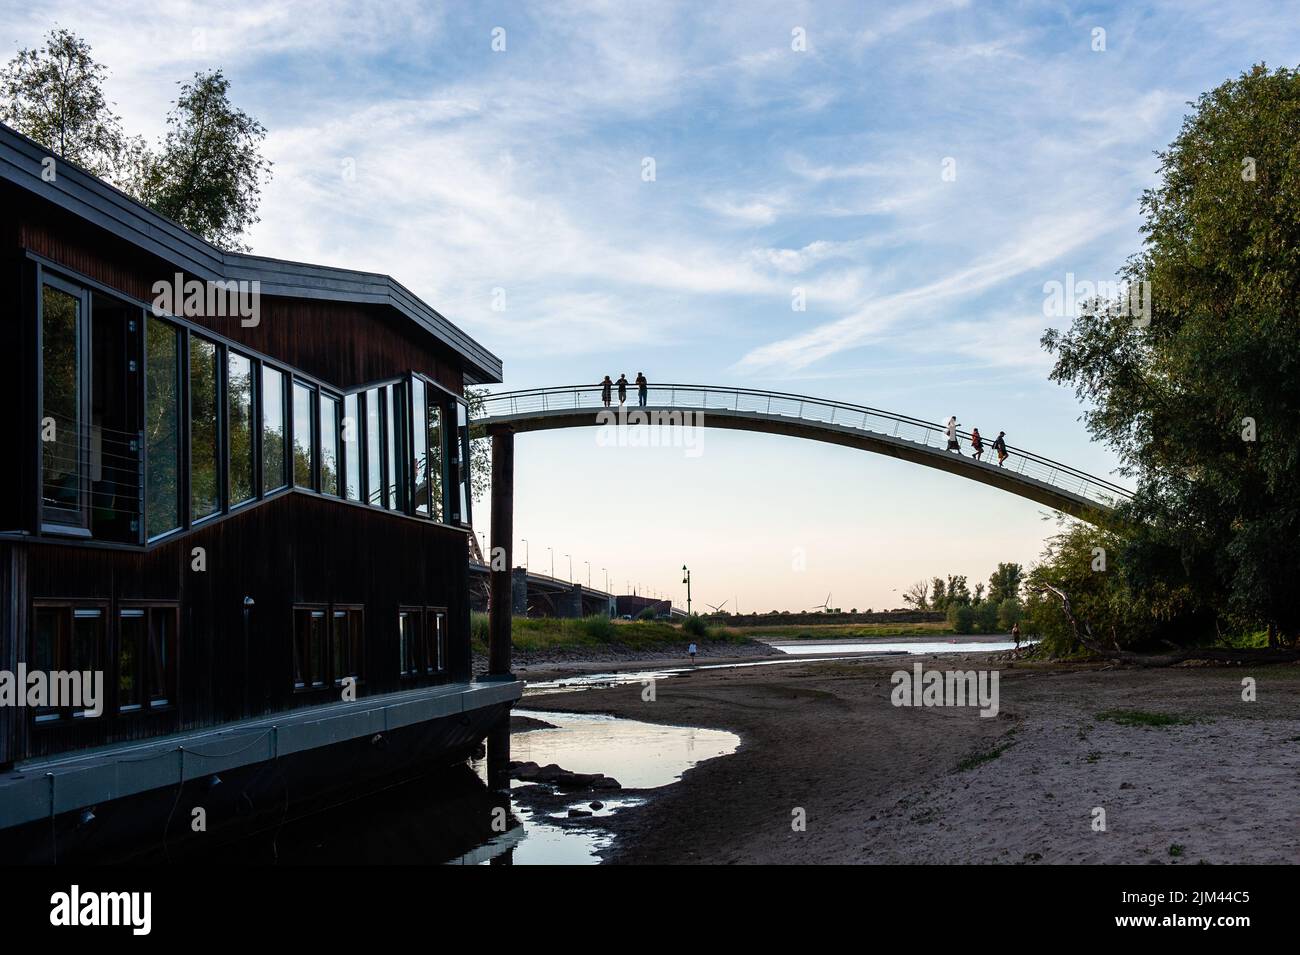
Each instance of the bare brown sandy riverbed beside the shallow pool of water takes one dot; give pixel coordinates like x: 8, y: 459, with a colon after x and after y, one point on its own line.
x: 885, y: 784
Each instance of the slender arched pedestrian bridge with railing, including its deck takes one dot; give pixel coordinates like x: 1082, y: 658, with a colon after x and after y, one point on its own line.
x: 835, y: 423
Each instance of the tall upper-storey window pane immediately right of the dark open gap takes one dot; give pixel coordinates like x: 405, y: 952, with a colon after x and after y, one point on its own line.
x: 163, y: 426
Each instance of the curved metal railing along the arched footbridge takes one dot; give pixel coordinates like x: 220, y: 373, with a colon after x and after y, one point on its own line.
x: 846, y: 415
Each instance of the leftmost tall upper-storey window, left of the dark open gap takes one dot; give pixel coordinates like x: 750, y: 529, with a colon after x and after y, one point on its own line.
x: 63, y: 440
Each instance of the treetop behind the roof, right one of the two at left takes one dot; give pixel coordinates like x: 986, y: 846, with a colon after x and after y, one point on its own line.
x: 210, y: 172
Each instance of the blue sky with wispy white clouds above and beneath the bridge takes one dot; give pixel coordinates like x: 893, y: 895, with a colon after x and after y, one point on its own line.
x: 404, y: 144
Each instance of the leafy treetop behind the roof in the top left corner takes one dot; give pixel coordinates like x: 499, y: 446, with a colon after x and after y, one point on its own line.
x: 55, y: 95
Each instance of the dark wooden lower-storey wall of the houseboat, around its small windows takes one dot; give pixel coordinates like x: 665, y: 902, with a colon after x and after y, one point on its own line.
x: 289, y: 550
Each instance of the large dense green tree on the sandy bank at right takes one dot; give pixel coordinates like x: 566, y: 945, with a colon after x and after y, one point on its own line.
x: 1201, y: 403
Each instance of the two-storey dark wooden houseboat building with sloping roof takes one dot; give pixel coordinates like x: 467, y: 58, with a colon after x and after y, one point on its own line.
x: 236, y: 487
